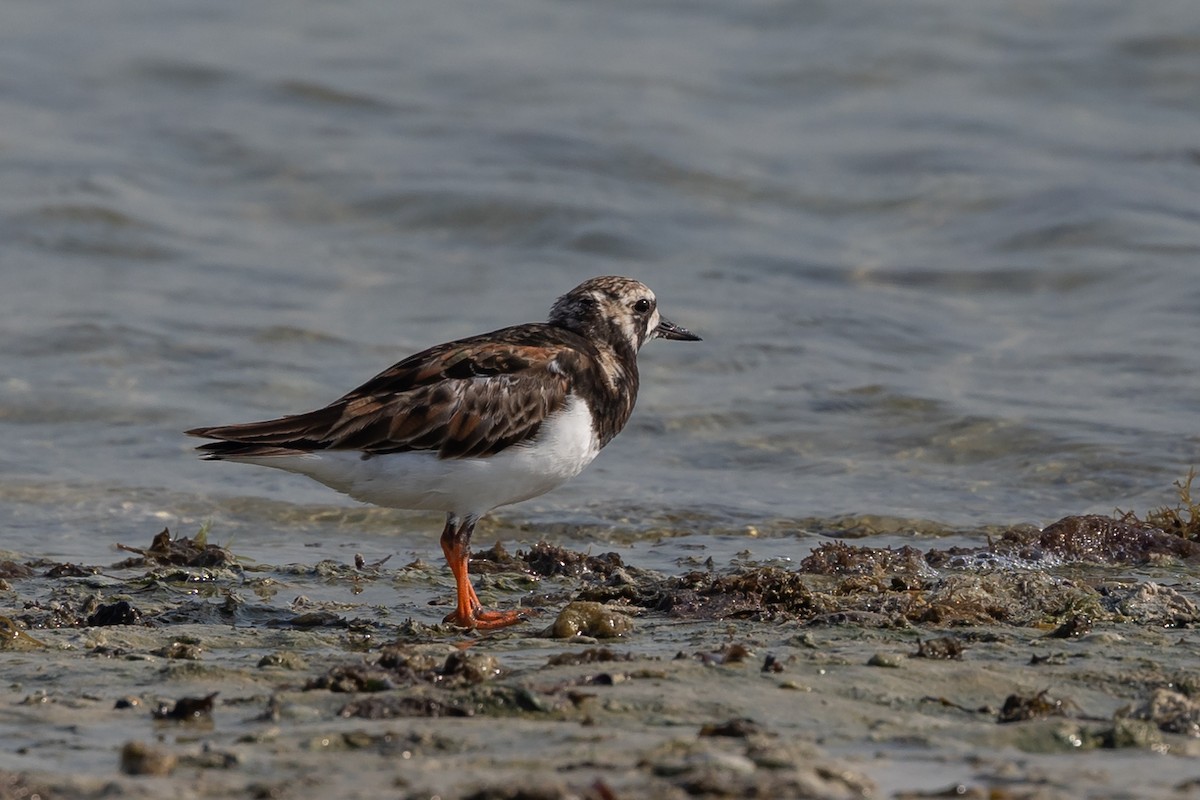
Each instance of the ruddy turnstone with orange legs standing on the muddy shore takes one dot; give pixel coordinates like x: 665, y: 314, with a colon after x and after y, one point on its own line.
x: 476, y: 424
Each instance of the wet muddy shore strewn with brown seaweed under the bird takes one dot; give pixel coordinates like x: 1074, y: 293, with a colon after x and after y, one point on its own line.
x: 1055, y: 664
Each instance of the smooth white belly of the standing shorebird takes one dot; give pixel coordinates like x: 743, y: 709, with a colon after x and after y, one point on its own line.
x: 421, y: 480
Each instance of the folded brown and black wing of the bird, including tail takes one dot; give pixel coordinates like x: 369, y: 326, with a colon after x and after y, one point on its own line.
x: 471, y: 398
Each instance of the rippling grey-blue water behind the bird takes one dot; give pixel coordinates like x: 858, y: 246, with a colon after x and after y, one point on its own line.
x: 944, y: 255
